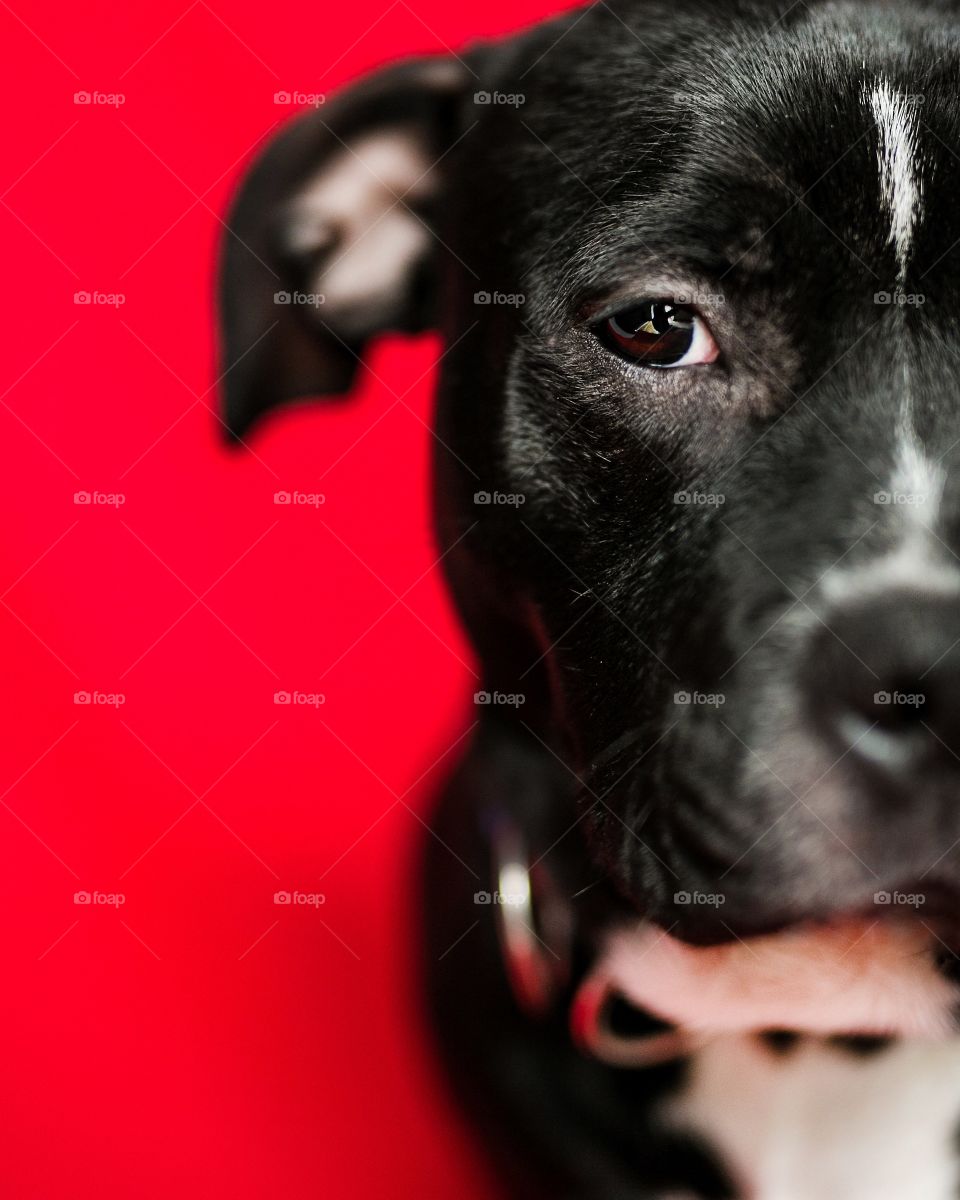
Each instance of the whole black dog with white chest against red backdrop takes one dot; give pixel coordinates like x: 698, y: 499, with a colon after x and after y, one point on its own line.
x: 693, y: 901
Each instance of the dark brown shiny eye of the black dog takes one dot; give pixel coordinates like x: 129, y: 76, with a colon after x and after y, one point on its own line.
x: 659, y: 334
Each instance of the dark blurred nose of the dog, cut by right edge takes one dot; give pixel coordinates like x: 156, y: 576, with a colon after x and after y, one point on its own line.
x: 884, y: 677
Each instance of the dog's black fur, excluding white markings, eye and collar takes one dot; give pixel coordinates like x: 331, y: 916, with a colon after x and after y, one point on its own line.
x: 725, y: 149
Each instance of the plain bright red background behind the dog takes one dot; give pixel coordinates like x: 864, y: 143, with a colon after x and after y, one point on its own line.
x: 200, y: 1040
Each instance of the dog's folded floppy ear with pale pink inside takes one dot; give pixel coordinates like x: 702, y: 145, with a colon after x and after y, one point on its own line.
x: 329, y: 241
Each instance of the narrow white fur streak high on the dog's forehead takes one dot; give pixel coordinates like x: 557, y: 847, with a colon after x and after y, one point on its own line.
x: 899, y: 167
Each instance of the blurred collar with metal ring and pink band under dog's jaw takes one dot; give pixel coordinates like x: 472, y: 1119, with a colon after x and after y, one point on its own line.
x: 854, y: 975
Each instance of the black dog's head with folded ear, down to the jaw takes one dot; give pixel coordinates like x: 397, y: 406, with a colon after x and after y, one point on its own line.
x: 697, y: 267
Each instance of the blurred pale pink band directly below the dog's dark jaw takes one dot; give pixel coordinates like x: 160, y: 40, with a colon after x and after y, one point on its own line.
x: 850, y: 975
